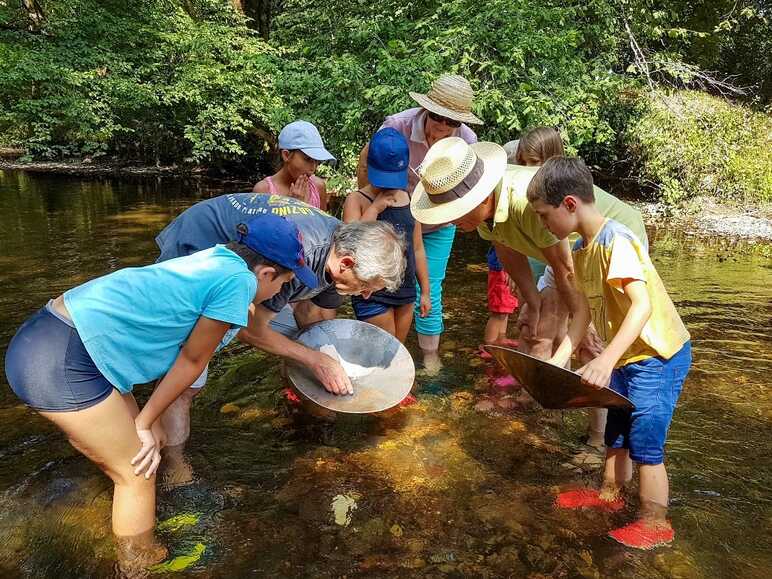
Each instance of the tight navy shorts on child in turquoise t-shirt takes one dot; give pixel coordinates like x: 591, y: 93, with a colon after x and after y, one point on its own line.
x: 48, y: 367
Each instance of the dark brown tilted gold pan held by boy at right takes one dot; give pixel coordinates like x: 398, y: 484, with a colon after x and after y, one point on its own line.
x: 554, y: 387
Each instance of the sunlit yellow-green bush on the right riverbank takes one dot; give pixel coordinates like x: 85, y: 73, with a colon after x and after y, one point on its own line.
x: 693, y: 144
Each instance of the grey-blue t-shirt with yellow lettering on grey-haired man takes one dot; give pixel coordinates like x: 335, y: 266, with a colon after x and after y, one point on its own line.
x: 214, y: 221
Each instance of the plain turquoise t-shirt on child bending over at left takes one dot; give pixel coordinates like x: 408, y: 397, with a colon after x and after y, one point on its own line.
x: 134, y: 321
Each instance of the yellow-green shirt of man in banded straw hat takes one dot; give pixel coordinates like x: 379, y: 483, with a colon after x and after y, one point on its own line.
x: 517, y: 226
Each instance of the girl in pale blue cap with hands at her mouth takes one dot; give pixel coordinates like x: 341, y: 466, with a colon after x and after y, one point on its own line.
x: 302, y: 150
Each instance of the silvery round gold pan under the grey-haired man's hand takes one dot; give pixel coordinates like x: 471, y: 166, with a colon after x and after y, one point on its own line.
x: 380, y: 367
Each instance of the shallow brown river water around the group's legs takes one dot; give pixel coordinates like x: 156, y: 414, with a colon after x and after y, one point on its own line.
x: 436, y: 489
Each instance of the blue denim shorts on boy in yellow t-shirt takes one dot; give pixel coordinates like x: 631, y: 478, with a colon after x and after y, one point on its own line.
x: 653, y: 385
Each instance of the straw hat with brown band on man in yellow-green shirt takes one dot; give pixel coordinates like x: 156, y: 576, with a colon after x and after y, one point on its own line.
x: 454, y: 178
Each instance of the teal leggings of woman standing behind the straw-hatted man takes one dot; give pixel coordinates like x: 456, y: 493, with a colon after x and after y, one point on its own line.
x: 437, y: 245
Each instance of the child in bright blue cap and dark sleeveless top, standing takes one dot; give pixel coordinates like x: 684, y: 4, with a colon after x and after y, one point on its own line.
x: 385, y: 199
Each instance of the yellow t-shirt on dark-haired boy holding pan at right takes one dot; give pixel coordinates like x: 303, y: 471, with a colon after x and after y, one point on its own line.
x: 615, y: 254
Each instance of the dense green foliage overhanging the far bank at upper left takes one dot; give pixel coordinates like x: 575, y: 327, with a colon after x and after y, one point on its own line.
x: 159, y: 81
